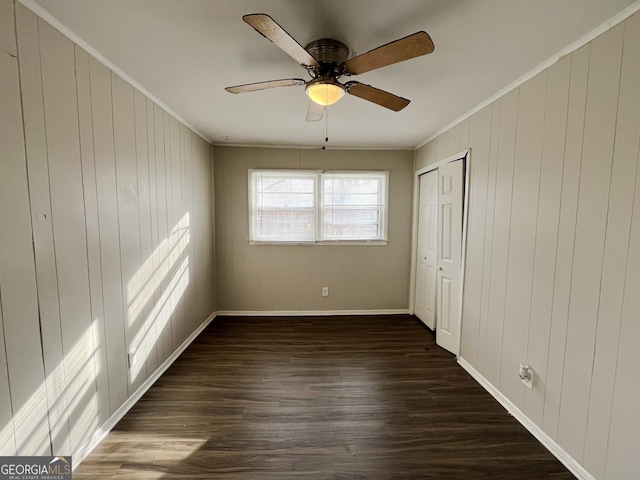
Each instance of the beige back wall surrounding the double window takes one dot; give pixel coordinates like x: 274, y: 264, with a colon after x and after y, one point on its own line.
x: 267, y: 278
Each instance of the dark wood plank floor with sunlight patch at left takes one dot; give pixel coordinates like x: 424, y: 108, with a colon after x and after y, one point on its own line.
x: 359, y: 397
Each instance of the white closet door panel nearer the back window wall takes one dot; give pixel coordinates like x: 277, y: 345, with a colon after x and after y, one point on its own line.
x: 425, y: 298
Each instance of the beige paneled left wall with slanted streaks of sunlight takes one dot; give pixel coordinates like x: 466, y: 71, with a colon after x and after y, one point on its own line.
x: 106, y: 238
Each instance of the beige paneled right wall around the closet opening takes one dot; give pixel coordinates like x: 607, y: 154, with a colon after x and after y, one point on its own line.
x: 553, y: 265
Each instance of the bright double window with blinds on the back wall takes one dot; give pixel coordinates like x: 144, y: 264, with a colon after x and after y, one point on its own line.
x: 303, y: 206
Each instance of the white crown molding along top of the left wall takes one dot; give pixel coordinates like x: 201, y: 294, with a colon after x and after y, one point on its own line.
x: 75, y: 38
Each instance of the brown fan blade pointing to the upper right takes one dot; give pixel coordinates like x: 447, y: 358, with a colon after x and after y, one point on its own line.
x: 404, y: 49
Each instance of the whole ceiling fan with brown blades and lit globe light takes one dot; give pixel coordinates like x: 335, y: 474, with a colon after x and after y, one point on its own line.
x: 326, y: 60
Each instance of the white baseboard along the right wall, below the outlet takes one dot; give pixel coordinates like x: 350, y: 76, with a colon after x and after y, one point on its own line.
x: 560, y: 453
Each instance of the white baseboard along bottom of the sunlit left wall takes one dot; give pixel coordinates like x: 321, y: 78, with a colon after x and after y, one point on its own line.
x: 99, y: 435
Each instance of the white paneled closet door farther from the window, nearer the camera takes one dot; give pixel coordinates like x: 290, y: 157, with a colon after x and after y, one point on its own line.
x: 449, y: 289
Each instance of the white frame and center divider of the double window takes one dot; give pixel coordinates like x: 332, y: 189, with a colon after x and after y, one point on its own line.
x: 319, y: 208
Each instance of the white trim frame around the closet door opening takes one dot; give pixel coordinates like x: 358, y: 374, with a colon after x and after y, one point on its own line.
x: 463, y: 155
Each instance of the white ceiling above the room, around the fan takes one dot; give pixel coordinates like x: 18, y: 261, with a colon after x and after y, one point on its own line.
x: 184, y: 52
